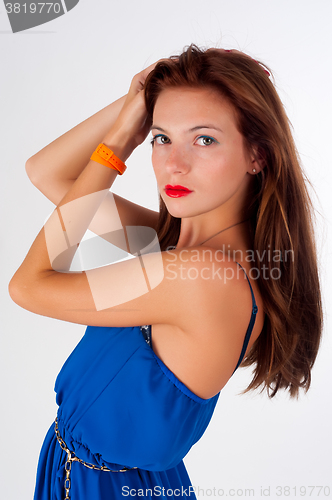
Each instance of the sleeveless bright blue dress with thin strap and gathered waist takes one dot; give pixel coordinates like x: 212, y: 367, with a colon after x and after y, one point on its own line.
x: 121, y: 407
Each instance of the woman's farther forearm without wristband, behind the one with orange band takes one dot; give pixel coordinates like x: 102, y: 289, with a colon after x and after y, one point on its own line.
x: 53, y: 169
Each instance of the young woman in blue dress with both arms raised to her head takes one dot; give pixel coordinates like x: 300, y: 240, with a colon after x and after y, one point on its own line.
x: 235, y: 281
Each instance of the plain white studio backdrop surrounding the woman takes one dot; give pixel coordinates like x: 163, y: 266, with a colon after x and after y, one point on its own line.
x: 54, y: 76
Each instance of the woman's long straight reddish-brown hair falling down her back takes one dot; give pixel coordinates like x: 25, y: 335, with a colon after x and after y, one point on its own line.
x: 281, y: 212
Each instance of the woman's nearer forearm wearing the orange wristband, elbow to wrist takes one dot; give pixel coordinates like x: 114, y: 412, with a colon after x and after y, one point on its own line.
x: 55, y: 245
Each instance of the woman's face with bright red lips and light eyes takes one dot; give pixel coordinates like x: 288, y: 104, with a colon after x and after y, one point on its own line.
x: 196, y: 144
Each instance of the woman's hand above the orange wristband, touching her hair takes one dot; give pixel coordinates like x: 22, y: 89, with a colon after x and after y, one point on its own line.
x: 133, y: 124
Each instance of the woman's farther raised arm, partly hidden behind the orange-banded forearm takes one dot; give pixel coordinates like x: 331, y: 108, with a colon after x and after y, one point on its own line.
x: 54, y: 169
